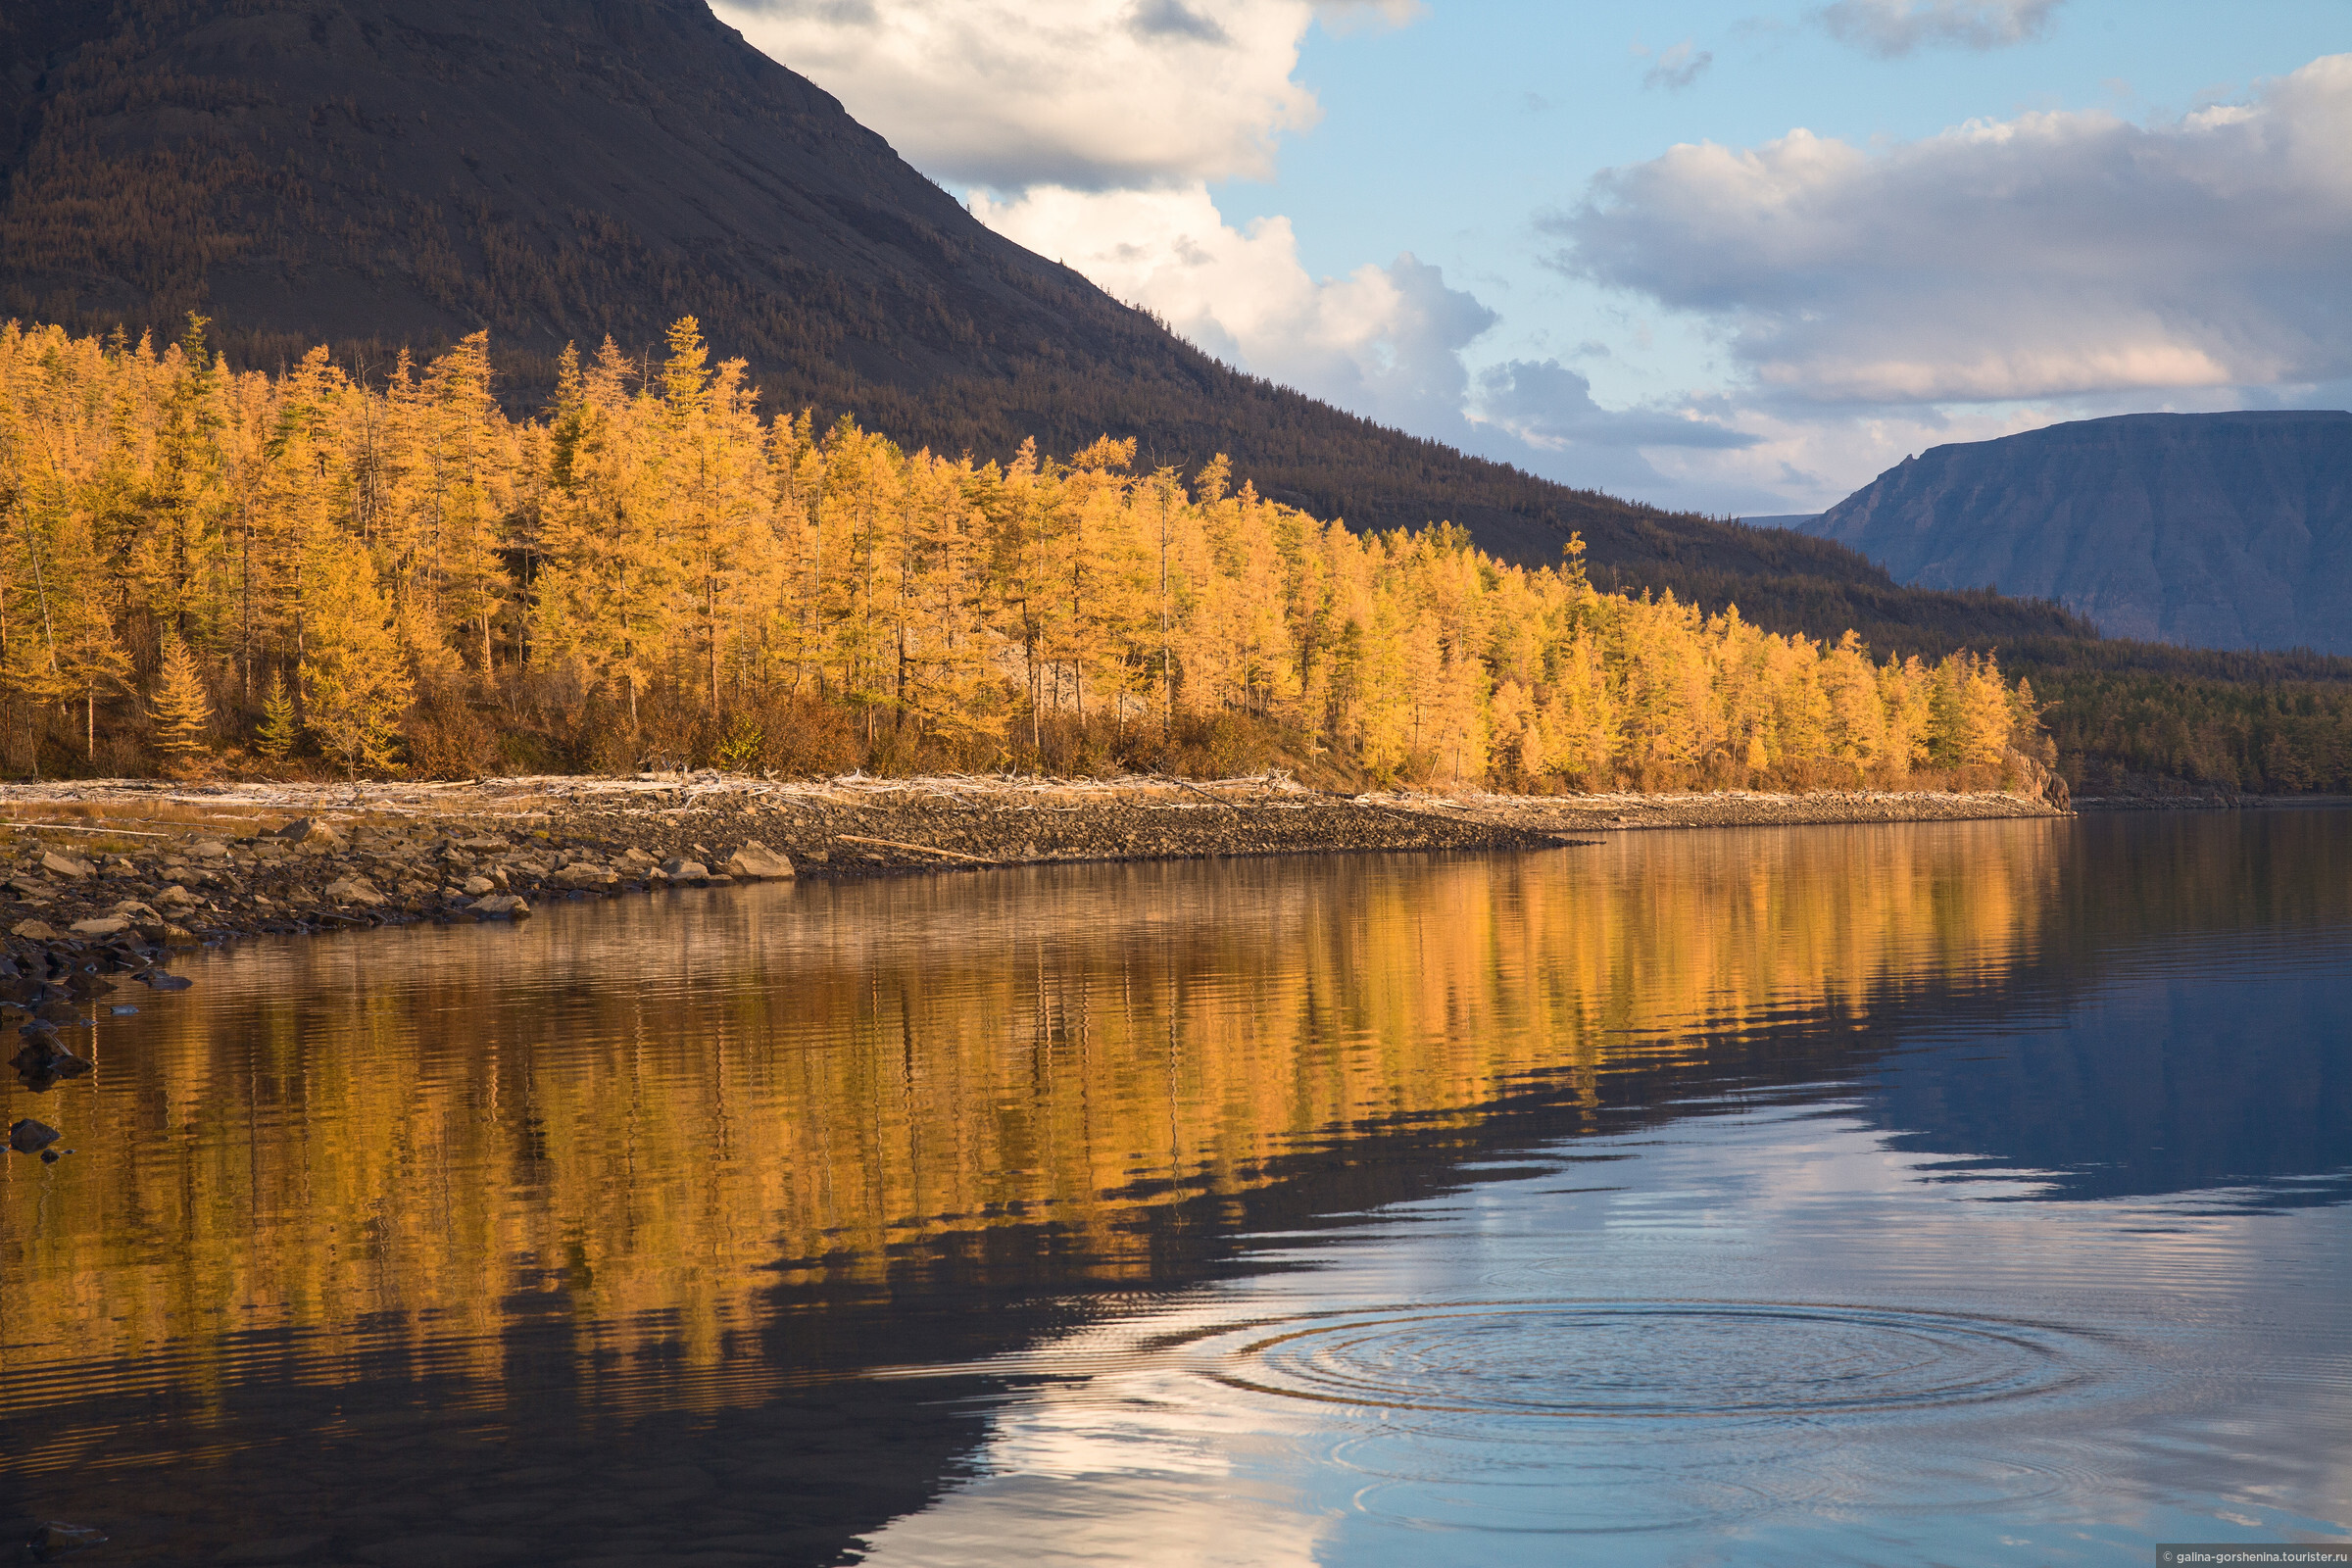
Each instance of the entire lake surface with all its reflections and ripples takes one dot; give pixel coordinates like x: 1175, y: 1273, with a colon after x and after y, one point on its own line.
x: 1944, y: 1193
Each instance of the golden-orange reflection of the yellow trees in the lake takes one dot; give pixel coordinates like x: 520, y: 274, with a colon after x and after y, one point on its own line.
x: 662, y: 1125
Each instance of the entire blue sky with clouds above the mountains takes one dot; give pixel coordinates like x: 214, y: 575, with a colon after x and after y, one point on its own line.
x: 1725, y: 257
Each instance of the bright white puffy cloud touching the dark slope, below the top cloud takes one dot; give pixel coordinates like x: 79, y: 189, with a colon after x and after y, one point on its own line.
x: 1382, y: 342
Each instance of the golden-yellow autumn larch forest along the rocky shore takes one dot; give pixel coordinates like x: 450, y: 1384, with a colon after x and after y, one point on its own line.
x: 211, y: 568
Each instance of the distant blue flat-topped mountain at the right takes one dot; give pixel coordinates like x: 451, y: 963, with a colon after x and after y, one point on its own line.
x: 2205, y: 530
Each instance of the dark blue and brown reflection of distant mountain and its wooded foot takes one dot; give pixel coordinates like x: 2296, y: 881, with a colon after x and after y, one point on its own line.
x: 2200, y: 970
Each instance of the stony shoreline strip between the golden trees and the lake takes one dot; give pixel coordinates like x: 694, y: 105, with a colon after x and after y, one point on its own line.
x: 107, y: 878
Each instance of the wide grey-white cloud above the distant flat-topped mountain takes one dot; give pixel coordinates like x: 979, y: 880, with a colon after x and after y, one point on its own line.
x: 2033, y: 257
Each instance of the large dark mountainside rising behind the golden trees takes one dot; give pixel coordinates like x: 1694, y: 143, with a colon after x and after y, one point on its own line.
x: 403, y: 173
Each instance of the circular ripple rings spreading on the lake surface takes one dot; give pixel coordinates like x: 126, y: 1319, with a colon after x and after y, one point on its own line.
x: 1657, y: 1360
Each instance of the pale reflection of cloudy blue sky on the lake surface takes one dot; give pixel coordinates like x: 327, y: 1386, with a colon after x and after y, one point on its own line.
x: 2123, y: 1414
